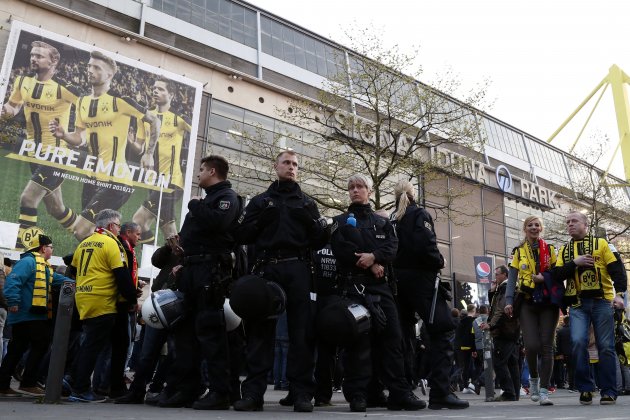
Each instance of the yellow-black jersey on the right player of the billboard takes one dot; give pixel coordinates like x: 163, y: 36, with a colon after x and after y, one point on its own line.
x: 169, y: 146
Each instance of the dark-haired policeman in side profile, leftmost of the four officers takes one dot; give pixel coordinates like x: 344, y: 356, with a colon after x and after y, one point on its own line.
x: 206, y: 244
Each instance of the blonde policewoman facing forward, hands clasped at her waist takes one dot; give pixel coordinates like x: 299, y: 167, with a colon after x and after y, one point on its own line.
x: 363, y: 252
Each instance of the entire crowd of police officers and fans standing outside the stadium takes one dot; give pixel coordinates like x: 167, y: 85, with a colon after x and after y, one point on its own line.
x: 358, y: 294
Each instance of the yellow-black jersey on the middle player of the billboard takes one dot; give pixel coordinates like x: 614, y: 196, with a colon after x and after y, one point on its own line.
x: 106, y: 121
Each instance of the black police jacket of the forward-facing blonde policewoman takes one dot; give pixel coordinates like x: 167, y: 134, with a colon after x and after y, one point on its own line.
x: 372, y: 234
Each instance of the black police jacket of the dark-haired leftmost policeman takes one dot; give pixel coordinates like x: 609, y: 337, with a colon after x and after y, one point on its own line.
x: 206, y: 228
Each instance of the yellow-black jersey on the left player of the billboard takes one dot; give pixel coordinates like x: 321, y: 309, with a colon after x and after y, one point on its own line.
x: 42, y: 102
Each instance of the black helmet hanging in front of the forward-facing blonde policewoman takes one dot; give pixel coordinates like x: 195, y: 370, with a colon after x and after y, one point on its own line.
x: 341, y: 322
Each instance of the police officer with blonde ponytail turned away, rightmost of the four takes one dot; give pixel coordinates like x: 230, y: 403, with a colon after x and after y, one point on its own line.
x: 416, y: 266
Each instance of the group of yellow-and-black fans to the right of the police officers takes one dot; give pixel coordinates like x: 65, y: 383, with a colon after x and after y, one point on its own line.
x: 532, y: 354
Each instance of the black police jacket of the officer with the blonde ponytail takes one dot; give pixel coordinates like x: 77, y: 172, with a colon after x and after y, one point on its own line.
x: 417, y: 243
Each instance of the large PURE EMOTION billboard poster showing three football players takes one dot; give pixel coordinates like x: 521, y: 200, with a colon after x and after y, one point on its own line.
x: 83, y: 129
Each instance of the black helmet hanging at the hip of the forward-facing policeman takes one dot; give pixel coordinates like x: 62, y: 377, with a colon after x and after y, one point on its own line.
x: 254, y: 298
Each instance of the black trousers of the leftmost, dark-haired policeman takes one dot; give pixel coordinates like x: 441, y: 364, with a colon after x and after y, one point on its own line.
x: 202, y: 334
